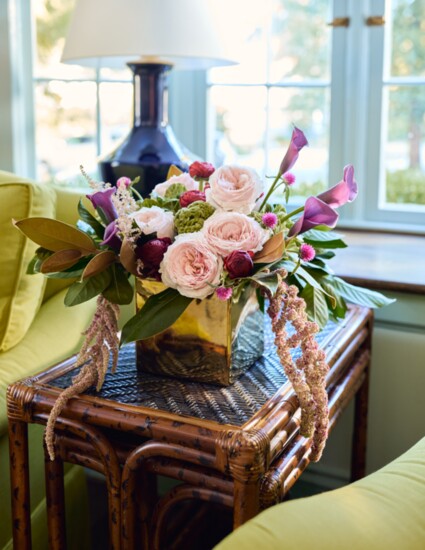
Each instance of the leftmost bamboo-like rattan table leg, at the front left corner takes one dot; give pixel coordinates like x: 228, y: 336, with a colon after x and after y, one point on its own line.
x: 19, y: 483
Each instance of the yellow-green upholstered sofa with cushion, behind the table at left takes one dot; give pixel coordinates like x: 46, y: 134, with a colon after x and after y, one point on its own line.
x: 36, y: 331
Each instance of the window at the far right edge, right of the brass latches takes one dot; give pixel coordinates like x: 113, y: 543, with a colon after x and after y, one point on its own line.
x: 396, y: 129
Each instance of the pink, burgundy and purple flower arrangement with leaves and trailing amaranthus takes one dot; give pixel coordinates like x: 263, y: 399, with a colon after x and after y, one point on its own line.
x: 203, y: 233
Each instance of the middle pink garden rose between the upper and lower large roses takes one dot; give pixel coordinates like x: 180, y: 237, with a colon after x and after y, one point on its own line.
x: 229, y: 231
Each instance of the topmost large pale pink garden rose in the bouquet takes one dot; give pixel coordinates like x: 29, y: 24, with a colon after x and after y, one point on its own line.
x: 234, y: 188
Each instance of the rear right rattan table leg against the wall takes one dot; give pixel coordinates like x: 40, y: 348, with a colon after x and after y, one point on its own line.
x: 358, y: 454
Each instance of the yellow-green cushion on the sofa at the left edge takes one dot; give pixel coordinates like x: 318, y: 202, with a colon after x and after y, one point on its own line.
x: 20, y: 294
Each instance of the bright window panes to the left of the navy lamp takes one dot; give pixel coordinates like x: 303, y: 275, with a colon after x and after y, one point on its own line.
x: 77, y: 114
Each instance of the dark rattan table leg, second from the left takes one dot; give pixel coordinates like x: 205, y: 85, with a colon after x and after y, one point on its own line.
x: 55, y: 499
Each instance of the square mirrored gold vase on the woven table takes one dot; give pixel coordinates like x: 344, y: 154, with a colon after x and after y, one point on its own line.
x: 212, y: 341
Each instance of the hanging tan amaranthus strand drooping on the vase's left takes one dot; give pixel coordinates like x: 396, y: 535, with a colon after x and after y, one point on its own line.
x: 100, y: 344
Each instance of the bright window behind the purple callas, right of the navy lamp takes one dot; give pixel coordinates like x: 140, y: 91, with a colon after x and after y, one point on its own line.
x: 278, y: 83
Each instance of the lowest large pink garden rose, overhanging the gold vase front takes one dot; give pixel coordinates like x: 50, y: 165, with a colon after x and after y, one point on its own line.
x: 191, y: 267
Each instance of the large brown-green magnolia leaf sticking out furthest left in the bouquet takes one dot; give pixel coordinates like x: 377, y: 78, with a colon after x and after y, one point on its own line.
x: 55, y: 235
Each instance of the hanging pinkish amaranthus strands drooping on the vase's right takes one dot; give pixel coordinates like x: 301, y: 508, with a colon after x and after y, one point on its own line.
x: 308, y: 374
